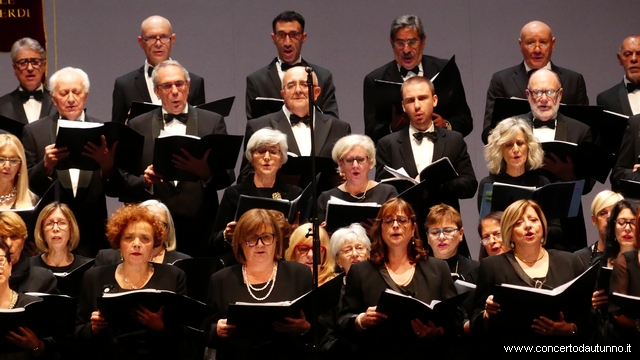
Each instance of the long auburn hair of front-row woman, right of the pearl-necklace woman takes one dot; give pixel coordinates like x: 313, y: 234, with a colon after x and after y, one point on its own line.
x: 379, y: 249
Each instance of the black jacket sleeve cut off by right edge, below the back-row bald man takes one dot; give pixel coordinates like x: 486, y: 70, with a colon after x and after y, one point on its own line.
x: 628, y: 155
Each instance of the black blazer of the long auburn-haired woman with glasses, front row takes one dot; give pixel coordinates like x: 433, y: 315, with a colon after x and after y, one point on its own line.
x: 364, y: 286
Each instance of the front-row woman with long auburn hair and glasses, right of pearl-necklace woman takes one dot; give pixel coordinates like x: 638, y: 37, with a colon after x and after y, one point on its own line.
x: 398, y: 262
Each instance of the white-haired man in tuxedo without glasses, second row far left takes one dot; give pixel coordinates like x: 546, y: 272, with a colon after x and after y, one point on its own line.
x: 82, y: 190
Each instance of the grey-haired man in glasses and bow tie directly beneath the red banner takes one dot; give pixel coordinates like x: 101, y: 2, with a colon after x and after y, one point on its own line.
x: 31, y: 100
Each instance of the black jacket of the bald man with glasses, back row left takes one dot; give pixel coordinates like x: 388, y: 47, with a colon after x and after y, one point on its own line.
x: 133, y: 87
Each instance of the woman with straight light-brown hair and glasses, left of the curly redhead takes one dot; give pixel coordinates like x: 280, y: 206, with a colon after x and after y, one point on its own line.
x: 57, y: 235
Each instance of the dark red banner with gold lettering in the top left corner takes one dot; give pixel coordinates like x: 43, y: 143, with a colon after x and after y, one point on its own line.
x: 21, y: 18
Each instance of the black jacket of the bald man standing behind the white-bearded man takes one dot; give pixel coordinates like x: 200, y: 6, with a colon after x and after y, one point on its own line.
x: 513, y: 81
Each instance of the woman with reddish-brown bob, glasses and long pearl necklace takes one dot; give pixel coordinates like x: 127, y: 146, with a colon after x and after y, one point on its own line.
x: 259, y: 277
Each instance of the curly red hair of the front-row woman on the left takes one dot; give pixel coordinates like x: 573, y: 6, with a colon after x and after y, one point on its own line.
x: 129, y: 214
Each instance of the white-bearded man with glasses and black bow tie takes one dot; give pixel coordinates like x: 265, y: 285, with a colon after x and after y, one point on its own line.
x: 545, y: 93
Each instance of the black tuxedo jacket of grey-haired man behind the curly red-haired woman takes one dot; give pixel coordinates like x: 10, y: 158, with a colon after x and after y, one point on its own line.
x: 192, y: 204
